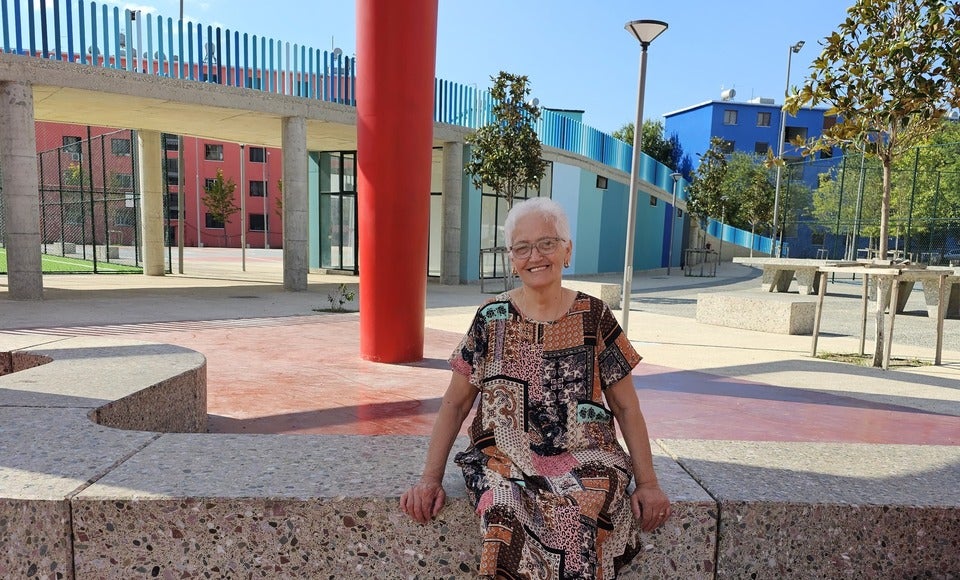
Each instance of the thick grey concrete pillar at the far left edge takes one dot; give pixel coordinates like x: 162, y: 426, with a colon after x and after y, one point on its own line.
x: 21, y: 191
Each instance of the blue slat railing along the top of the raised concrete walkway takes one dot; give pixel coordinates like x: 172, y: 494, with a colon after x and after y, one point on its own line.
x: 214, y: 55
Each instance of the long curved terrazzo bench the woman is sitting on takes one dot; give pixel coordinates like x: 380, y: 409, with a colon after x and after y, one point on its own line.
x: 82, y: 500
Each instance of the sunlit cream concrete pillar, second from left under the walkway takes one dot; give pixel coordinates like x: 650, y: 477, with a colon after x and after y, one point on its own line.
x: 151, y: 200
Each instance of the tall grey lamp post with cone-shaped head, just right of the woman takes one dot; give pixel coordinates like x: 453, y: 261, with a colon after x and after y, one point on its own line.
x: 645, y: 31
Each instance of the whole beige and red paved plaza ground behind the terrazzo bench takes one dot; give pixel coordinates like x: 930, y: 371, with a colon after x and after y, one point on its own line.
x: 278, y: 363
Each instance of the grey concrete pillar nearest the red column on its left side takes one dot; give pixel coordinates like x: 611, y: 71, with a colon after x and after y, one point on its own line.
x: 296, y: 233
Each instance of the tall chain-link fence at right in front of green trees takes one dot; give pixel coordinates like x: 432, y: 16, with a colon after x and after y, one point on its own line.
x: 840, y: 218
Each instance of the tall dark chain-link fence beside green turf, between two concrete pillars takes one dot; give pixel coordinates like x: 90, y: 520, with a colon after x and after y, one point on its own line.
x: 89, y: 205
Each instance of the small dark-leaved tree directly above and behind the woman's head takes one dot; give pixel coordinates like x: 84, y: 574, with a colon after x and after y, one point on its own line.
x: 506, y: 155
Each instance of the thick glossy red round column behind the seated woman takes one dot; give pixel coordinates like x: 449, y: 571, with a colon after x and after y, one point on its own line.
x: 396, y: 53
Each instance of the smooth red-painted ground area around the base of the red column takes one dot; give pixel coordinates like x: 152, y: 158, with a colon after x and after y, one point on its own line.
x: 304, y: 375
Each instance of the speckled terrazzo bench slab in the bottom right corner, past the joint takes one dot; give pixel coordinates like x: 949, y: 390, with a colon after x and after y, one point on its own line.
x: 792, y: 510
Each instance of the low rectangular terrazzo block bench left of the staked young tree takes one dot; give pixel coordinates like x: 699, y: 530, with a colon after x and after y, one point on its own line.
x: 778, y: 313
